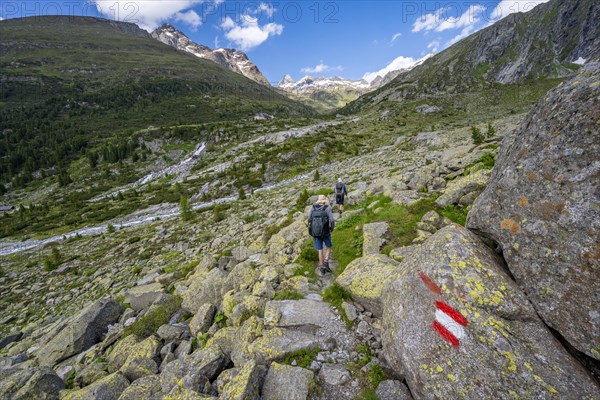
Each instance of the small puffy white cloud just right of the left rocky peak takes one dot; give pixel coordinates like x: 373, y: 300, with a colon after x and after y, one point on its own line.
x: 249, y: 33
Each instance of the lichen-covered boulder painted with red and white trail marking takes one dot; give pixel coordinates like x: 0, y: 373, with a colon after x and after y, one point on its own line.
x: 457, y: 326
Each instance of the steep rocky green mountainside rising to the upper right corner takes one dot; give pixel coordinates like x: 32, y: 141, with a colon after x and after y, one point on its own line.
x: 511, y: 51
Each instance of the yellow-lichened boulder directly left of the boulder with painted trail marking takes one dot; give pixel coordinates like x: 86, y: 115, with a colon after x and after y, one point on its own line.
x: 365, y: 278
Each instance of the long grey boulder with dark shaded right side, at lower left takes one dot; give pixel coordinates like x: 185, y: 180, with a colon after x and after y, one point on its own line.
x: 79, y: 332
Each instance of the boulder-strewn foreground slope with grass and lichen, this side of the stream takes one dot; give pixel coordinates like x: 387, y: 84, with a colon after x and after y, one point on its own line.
x: 229, y: 305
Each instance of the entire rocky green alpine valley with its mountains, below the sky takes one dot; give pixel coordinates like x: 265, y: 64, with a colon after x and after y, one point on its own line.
x: 154, y: 200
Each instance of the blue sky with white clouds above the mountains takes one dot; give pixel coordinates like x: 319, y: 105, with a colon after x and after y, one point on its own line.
x: 324, y: 38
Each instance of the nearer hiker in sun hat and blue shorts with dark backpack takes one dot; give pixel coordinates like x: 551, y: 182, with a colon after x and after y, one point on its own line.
x: 320, y: 226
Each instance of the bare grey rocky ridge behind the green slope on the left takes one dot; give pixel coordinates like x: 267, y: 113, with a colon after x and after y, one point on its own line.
x: 232, y: 59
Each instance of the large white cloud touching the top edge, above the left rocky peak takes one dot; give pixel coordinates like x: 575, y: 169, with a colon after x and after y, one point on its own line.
x: 147, y: 14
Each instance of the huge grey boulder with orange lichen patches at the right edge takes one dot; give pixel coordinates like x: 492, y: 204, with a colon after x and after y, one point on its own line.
x: 542, y: 208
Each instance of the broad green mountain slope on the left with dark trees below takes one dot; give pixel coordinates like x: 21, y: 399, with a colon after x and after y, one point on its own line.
x: 69, y: 83
